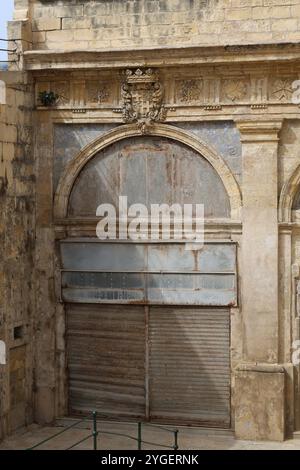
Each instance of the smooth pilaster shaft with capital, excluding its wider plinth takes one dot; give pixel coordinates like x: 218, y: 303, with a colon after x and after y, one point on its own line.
x: 259, y: 297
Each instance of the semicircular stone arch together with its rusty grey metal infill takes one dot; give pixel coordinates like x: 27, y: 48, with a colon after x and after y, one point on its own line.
x: 169, y: 166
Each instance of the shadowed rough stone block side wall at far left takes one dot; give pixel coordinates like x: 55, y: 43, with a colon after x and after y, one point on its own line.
x: 16, y: 252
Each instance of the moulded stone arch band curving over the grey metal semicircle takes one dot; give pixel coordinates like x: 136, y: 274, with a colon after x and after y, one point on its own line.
x: 74, y: 167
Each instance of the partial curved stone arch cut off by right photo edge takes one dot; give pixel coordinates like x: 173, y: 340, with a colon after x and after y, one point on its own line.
x: 288, y: 194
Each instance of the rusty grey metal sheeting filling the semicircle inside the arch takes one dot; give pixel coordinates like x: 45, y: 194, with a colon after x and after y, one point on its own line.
x: 149, y: 170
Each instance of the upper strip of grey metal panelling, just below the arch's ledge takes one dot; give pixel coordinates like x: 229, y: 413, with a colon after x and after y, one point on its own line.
x: 94, y: 255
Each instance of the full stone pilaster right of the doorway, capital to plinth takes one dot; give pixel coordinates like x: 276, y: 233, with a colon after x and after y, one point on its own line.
x: 259, y: 382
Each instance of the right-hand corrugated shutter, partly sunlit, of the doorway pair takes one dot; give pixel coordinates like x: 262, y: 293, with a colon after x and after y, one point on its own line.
x: 189, y: 365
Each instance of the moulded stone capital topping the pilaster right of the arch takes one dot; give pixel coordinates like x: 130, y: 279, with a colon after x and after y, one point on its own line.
x: 259, y: 130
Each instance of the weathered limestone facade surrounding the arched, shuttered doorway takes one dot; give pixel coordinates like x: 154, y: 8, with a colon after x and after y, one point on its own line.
x: 257, y: 99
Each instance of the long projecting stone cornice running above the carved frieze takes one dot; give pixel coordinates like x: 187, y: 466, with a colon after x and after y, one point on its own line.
x: 168, y: 57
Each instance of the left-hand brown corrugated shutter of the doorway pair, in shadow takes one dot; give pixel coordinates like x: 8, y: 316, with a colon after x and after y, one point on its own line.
x: 106, y: 360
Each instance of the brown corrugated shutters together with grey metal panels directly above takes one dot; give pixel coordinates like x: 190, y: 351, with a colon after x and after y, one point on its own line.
x: 148, y: 330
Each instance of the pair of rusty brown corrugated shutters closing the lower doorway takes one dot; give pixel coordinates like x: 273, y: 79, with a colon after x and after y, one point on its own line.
x: 166, y: 364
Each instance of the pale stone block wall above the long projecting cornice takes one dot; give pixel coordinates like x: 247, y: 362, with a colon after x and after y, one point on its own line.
x: 148, y: 23
